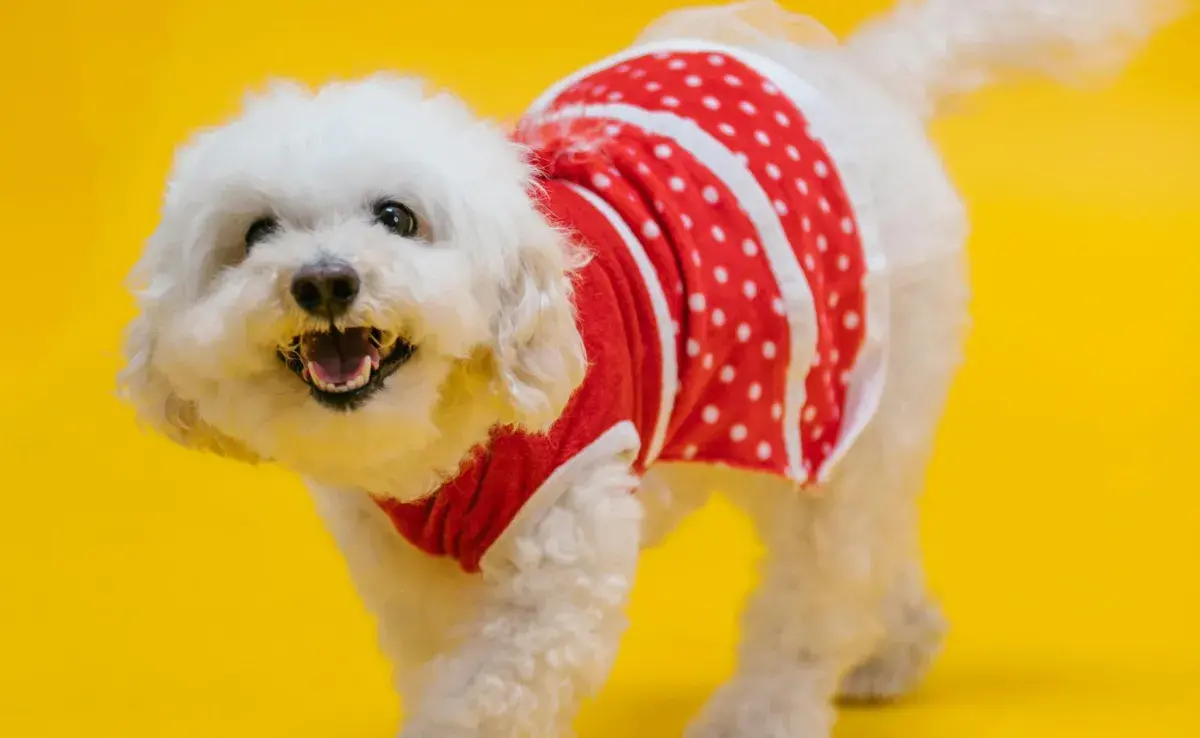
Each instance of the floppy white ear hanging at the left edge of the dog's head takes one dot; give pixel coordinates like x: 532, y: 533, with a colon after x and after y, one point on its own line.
x: 143, y: 386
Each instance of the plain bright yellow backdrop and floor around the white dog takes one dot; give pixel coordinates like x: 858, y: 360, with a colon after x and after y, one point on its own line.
x: 149, y: 592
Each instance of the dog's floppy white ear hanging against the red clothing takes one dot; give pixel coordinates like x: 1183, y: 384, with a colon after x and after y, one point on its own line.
x: 538, y: 350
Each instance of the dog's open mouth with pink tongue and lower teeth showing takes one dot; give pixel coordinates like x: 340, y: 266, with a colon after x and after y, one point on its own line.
x: 344, y: 368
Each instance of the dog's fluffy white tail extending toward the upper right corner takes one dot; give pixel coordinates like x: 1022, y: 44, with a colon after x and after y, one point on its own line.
x: 927, y: 53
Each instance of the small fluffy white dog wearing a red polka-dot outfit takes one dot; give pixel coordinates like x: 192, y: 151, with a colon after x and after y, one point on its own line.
x: 508, y: 361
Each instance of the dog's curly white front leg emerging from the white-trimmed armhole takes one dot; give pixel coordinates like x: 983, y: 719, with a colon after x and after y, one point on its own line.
x: 550, y: 620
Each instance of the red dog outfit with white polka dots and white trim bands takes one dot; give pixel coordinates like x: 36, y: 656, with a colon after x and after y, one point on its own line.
x: 725, y: 310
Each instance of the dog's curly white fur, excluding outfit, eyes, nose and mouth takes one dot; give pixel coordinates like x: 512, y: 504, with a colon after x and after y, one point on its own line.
x: 513, y: 652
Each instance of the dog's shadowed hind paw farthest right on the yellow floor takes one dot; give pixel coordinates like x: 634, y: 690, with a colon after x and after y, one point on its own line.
x: 901, y: 663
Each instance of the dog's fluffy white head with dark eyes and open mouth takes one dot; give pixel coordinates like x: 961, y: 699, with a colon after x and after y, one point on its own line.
x: 353, y: 283
